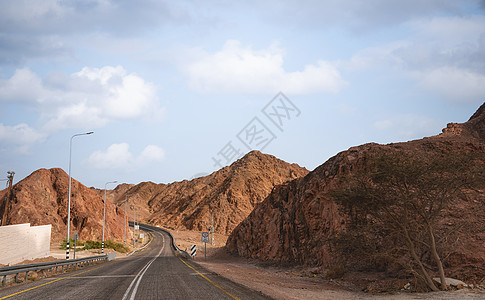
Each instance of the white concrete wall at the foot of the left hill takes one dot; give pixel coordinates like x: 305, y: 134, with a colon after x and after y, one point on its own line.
x: 21, y: 242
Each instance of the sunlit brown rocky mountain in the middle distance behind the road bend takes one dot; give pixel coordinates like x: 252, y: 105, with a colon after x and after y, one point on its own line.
x: 230, y: 193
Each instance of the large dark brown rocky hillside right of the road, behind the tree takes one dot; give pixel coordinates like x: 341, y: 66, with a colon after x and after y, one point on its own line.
x: 299, y: 221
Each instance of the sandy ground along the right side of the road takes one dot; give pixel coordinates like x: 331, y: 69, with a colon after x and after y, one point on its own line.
x: 290, y: 283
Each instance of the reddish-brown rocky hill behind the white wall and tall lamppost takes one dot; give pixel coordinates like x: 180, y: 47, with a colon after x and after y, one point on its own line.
x: 42, y: 198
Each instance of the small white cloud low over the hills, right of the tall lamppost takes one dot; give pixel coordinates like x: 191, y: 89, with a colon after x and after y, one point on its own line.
x: 118, y: 156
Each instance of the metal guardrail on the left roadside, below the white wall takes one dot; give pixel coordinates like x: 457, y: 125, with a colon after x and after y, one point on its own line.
x: 79, y: 262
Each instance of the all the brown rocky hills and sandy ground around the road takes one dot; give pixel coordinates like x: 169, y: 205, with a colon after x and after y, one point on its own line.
x: 292, y: 233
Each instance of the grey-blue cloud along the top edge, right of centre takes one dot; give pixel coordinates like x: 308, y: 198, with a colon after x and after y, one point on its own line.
x: 354, y: 15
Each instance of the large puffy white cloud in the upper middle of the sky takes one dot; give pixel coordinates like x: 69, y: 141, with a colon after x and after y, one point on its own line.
x: 238, y: 69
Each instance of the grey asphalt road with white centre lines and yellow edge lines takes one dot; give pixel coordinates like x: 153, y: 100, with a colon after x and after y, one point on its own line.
x: 154, y: 273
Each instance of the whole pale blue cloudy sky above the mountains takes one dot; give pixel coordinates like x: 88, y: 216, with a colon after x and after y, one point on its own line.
x: 177, y: 89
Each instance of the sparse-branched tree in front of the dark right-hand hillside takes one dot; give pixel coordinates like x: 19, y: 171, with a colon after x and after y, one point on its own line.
x: 407, y: 195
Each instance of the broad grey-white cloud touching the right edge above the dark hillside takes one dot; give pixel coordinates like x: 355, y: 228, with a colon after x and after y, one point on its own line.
x: 444, y: 55
